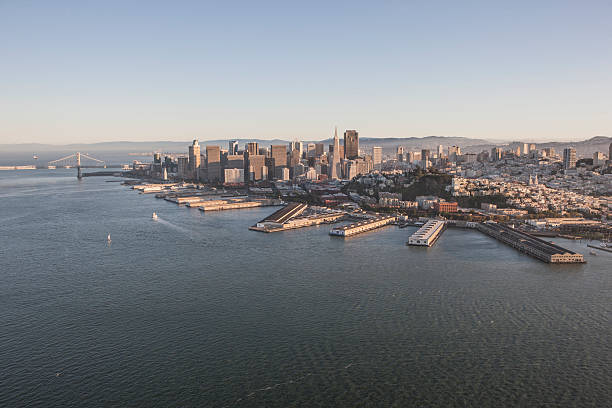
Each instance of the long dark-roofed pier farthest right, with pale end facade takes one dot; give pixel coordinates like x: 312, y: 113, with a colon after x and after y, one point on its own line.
x: 527, y: 243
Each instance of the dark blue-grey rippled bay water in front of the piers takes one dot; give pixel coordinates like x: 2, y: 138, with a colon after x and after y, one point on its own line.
x: 195, y: 310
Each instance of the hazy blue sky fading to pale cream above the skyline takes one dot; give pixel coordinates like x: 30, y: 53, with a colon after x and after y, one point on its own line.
x: 177, y: 70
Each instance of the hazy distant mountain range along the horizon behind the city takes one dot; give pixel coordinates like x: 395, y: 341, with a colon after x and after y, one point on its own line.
x: 115, y: 152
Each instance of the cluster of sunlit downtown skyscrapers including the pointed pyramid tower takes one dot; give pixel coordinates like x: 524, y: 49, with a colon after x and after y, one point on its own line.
x: 253, y: 163
